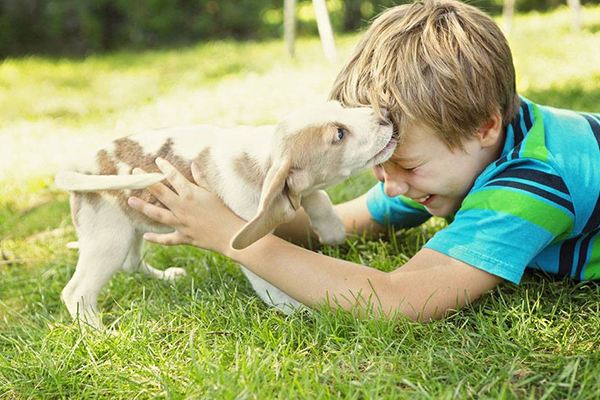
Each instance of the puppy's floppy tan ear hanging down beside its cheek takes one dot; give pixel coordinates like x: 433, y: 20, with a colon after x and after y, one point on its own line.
x: 278, y: 204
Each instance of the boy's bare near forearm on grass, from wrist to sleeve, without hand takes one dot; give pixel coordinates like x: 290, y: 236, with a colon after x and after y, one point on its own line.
x: 426, y: 287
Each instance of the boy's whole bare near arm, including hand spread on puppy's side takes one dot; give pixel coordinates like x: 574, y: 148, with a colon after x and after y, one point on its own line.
x: 427, y: 287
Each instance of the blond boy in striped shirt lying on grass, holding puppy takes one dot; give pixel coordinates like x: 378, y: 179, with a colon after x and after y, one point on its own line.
x: 520, y: 181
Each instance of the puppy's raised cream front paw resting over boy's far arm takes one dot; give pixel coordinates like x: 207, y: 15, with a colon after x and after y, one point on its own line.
x: 323, y: 218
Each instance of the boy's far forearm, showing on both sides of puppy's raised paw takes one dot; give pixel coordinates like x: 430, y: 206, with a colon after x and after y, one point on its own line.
x: 354, y: 213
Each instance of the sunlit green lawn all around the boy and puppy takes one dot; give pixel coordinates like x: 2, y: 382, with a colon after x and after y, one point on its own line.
x: 208, y: 335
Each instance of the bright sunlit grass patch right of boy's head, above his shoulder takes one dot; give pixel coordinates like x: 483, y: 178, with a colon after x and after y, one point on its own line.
x: 555, y: 64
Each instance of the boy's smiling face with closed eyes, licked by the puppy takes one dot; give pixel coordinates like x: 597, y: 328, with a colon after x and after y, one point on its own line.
x: 424, y: 169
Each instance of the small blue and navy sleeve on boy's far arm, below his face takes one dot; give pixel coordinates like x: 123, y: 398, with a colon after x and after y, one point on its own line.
x: 400, y: 211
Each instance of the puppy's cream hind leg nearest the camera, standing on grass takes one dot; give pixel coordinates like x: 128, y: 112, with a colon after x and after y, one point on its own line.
x: 105, y: 236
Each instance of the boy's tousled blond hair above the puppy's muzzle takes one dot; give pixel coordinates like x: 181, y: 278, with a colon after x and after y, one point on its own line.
x: 439, y: 62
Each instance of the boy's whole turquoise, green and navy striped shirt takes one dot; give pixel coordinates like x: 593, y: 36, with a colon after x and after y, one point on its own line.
x: 537, y: 206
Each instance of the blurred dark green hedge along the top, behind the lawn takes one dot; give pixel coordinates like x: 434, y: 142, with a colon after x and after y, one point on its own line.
x: 82, y: 27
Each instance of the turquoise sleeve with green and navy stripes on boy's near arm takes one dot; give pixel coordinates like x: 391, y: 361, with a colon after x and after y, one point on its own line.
x: 504, y: 224
